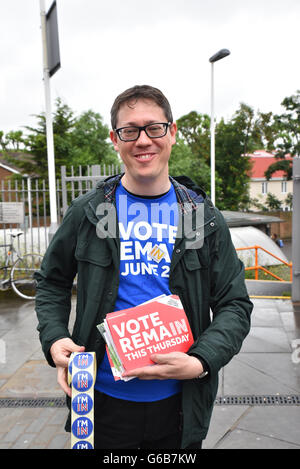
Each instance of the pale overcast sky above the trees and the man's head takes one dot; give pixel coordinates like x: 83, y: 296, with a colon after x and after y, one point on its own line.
x: 108, y: 46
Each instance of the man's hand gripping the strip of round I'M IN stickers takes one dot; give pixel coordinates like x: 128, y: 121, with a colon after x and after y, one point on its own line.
x: 60, y: 352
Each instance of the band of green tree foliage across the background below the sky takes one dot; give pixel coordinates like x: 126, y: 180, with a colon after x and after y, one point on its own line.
x: 84, y: 140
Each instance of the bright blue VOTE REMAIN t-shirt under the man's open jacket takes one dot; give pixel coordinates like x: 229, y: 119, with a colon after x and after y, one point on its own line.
x: 144, y: 224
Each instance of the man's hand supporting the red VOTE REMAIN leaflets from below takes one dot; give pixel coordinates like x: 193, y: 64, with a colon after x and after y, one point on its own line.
x: 175, y: 365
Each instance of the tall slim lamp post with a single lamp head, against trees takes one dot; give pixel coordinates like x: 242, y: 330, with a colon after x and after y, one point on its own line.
x: 218, y: 56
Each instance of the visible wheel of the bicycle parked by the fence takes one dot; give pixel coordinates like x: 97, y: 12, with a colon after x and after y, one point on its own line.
x: 22, y: 272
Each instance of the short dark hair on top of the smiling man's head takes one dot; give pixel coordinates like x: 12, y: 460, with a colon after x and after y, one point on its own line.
x: 140, y: 92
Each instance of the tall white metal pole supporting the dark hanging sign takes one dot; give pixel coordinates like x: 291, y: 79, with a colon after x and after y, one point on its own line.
x: 49, y: 127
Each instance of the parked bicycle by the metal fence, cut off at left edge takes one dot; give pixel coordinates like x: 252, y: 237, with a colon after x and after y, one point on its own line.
x: 19, y: 273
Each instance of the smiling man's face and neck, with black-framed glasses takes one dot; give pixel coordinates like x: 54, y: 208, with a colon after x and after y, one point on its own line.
x: 144, y: 138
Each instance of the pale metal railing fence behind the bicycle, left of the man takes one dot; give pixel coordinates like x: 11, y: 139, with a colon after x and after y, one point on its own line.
x: 24, y: 204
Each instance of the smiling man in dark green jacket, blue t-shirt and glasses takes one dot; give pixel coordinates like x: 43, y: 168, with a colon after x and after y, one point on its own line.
x: 168, y: 405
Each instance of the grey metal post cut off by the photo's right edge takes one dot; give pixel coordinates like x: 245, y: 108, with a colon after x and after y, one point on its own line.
x: 296, y: 232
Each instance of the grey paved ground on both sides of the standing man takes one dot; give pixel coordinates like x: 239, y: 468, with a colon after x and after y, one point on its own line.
x: 258, y: 402
